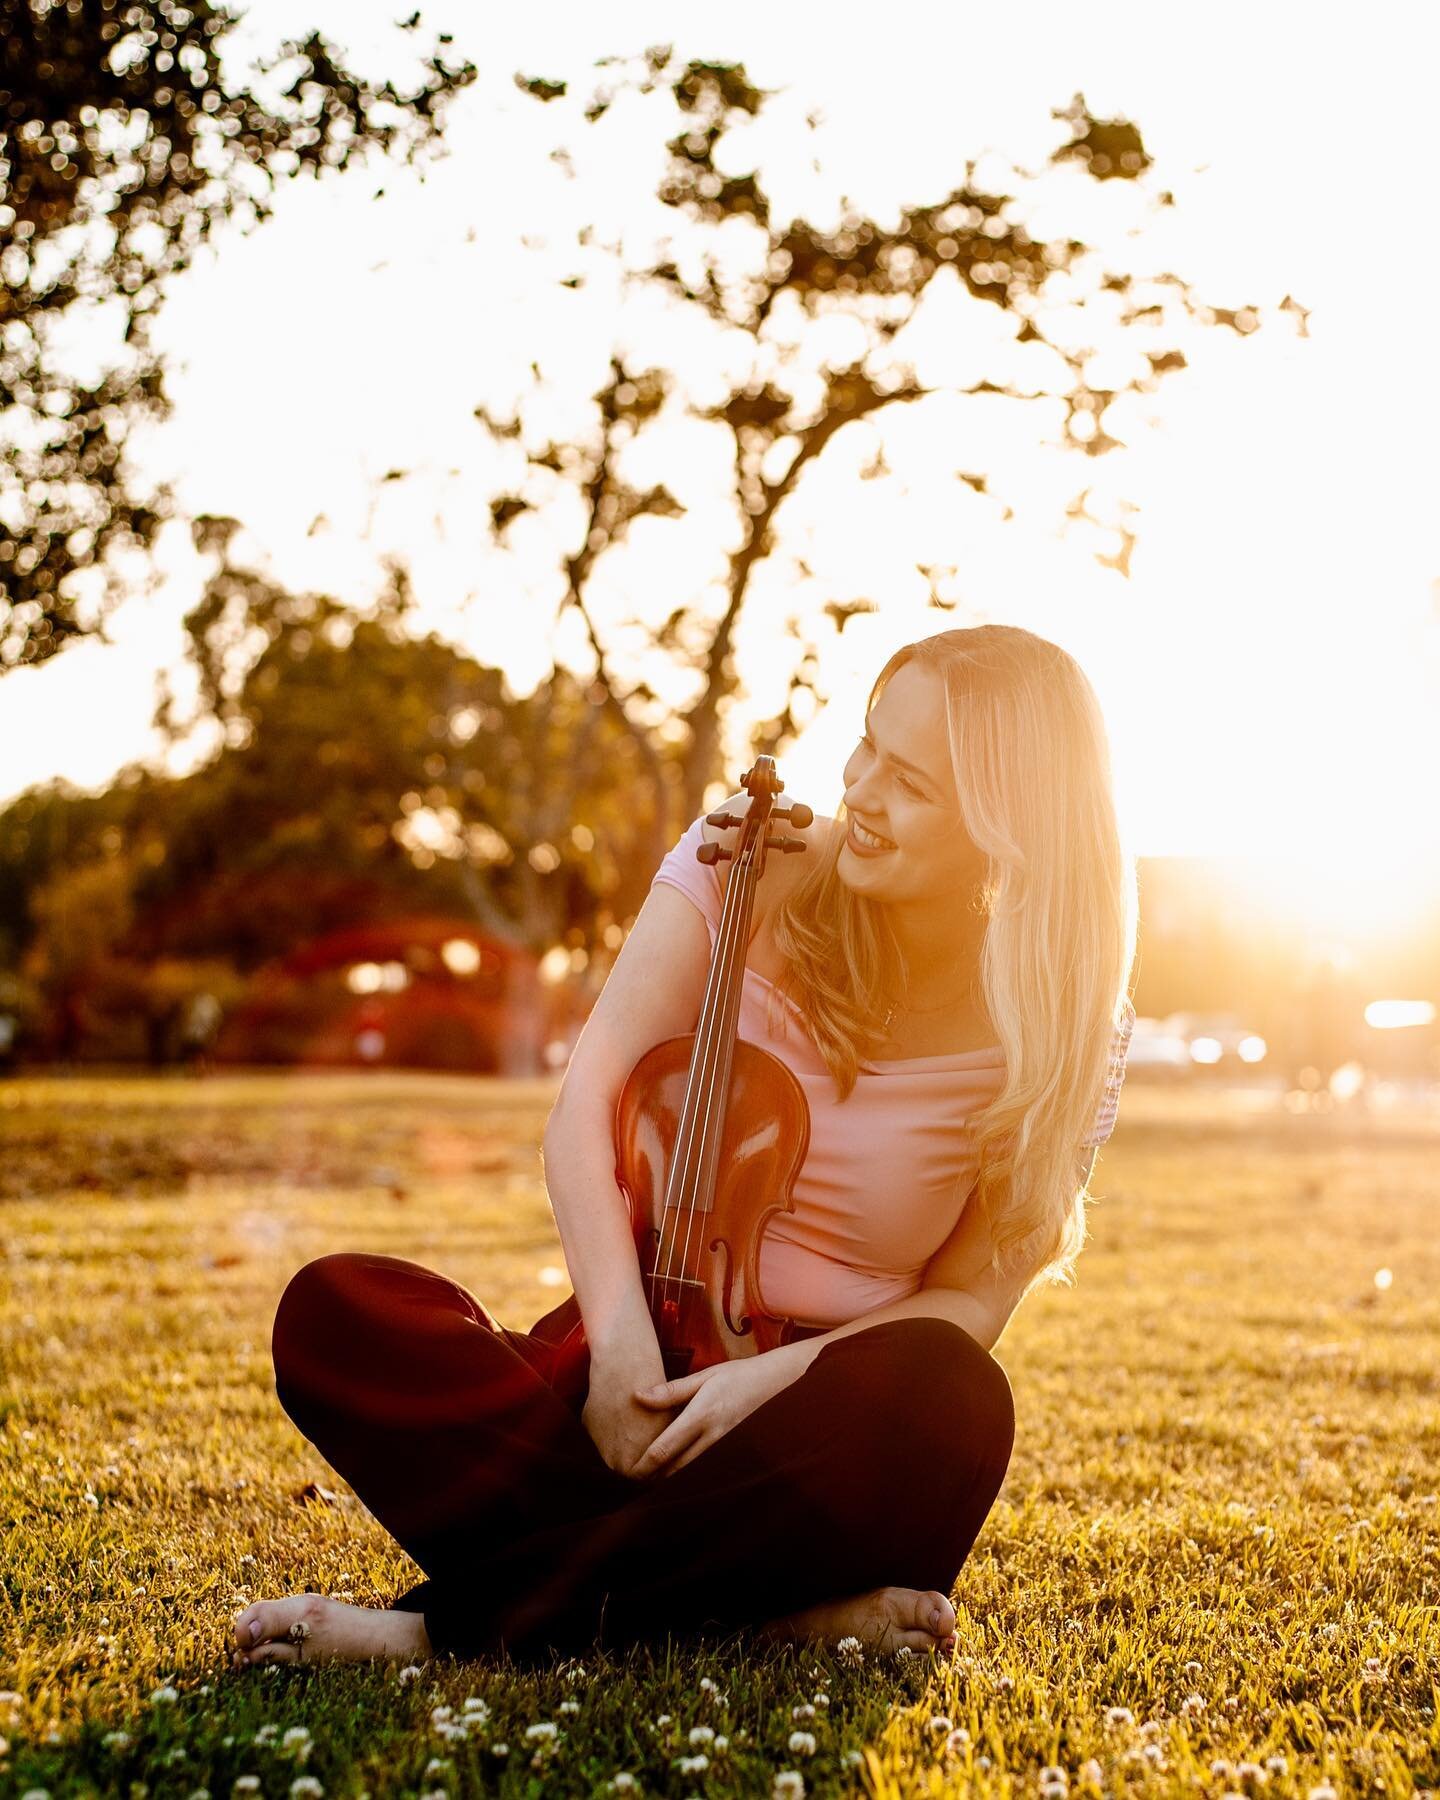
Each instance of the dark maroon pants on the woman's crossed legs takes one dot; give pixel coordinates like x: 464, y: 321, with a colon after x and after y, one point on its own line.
x: 874, y: 1468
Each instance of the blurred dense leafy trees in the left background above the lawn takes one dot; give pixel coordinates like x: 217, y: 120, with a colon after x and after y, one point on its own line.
x: 366, y: 775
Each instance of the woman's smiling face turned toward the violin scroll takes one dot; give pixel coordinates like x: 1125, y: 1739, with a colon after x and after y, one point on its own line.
x: 899, y: 784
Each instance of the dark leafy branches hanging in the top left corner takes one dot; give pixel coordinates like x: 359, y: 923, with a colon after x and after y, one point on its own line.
x: 121, y: 152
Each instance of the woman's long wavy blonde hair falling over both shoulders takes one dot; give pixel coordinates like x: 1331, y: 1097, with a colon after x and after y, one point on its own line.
x: 1032, y: 769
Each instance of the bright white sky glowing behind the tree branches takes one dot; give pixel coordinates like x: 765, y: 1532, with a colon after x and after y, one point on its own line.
x: 1270, y: 672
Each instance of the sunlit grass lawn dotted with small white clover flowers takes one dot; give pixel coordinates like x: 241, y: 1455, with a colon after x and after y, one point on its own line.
x: 1225, y: 1479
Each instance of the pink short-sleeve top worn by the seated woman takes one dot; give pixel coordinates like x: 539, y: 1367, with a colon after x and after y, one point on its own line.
x: 888, y: 1171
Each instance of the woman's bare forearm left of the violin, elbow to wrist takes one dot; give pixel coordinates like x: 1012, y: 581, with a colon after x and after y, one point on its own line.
x: 595, y: 1228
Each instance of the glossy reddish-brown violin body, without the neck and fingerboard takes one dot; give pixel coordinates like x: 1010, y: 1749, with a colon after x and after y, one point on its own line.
x: 705, y: 1295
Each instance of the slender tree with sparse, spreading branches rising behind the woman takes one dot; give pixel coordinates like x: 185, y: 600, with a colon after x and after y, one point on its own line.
x: 764, y: 283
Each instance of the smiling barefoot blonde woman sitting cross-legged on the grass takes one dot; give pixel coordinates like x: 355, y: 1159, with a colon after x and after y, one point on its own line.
x: 948, y: 975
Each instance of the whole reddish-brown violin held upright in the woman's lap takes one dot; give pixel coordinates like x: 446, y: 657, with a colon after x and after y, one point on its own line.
x: 710, y: 1137
